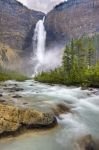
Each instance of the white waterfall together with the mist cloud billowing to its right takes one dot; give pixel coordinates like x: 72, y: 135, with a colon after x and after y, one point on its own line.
x: 42, y: 58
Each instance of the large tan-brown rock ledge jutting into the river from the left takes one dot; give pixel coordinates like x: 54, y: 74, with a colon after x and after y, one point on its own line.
x: 15, y: 120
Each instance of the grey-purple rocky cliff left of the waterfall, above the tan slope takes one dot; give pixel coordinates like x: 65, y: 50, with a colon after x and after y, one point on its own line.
x: 17, y: 25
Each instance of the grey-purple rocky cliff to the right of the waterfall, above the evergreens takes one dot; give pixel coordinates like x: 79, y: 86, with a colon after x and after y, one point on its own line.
x: 72, y: 19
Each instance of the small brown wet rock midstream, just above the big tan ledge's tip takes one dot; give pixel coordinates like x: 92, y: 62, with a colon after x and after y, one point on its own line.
x: 60, y: 108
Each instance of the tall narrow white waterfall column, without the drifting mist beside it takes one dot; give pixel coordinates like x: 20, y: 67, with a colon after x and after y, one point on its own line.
x: 39, y: 40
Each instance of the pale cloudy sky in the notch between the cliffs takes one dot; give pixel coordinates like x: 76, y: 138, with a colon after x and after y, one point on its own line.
x: 41, y: 5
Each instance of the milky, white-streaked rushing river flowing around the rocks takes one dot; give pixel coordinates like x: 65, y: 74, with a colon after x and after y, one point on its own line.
x: 83, y: 119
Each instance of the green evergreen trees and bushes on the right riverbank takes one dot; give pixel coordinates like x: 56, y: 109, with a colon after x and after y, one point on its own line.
x: 79, y: 65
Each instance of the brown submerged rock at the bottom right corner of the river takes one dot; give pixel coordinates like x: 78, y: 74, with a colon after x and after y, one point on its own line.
x: 85, y: 143
